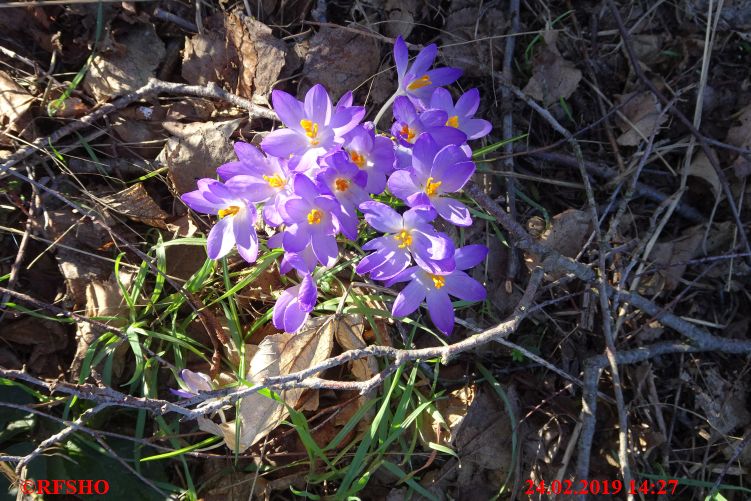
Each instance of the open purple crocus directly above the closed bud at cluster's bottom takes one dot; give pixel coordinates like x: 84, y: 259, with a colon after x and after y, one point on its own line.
x: 313, y: 219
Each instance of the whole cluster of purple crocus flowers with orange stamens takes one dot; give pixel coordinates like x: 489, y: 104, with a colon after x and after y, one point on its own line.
x: 312, y: 177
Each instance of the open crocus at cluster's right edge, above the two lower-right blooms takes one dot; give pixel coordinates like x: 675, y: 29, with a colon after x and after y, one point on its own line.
x: 435, y: 173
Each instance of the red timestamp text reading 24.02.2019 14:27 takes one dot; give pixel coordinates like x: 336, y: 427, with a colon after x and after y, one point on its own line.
x: 601, y: 487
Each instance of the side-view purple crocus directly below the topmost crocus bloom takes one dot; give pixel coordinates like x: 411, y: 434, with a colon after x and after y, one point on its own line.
x: 409, y: 124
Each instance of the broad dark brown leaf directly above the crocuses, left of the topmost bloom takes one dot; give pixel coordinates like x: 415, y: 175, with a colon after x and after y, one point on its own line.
x: 340, y: 60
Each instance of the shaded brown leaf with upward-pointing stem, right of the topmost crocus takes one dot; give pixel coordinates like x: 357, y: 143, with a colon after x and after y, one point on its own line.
x: 553, y: 77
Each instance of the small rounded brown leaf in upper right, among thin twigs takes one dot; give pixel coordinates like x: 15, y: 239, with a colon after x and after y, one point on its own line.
x: 643, y: 112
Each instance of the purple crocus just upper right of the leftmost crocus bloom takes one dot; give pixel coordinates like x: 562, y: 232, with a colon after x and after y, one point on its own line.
x: 267, y: 178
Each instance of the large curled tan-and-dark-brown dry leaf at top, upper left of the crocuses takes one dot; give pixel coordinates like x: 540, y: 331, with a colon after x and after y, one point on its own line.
x: 239, y: 53
